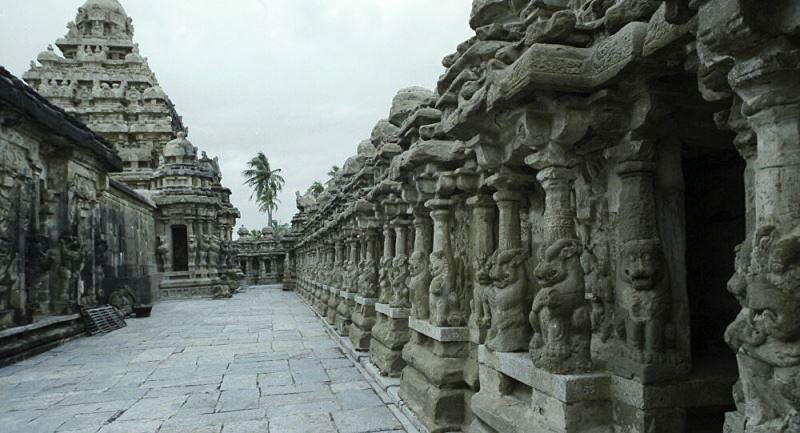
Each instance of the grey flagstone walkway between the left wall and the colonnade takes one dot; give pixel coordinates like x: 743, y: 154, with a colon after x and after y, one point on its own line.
x: 260, y: 362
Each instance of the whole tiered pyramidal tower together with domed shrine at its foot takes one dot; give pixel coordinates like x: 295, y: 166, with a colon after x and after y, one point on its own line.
x: 101, y: 78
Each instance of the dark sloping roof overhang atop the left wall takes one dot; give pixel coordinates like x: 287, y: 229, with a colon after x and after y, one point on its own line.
x: 22, y: 97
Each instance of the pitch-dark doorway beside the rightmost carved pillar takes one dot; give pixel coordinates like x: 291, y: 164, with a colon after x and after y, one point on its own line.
x: 715, y: 224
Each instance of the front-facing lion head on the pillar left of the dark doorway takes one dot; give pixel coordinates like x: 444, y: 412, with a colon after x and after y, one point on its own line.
x: 642, y: 264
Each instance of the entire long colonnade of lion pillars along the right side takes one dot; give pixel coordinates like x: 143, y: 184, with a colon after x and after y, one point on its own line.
x: 590, y: 220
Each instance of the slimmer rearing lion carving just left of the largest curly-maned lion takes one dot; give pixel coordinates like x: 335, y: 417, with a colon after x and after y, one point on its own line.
x: 509, y: 330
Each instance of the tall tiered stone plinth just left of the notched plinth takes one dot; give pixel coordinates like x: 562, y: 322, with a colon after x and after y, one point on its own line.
x: 432, y: 383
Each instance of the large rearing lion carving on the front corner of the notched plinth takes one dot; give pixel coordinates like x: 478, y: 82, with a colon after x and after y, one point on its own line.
x: 560, y: 316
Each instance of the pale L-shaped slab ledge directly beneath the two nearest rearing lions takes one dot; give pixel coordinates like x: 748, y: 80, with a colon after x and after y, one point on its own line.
x: 567, y: 388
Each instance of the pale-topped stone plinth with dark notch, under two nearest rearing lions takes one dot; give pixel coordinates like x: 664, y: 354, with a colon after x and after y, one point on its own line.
x: 516, y: 397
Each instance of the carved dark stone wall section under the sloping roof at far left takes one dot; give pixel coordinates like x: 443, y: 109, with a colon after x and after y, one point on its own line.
x: 51, y: 191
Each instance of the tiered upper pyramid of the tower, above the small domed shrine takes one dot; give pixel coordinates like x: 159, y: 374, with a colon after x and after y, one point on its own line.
x: 101, y: 78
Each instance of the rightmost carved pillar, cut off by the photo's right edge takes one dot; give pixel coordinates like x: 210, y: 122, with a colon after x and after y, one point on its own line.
x: 765, y: 57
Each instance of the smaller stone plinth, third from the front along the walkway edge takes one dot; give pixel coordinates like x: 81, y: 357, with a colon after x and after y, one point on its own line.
x: 389, y: 335
